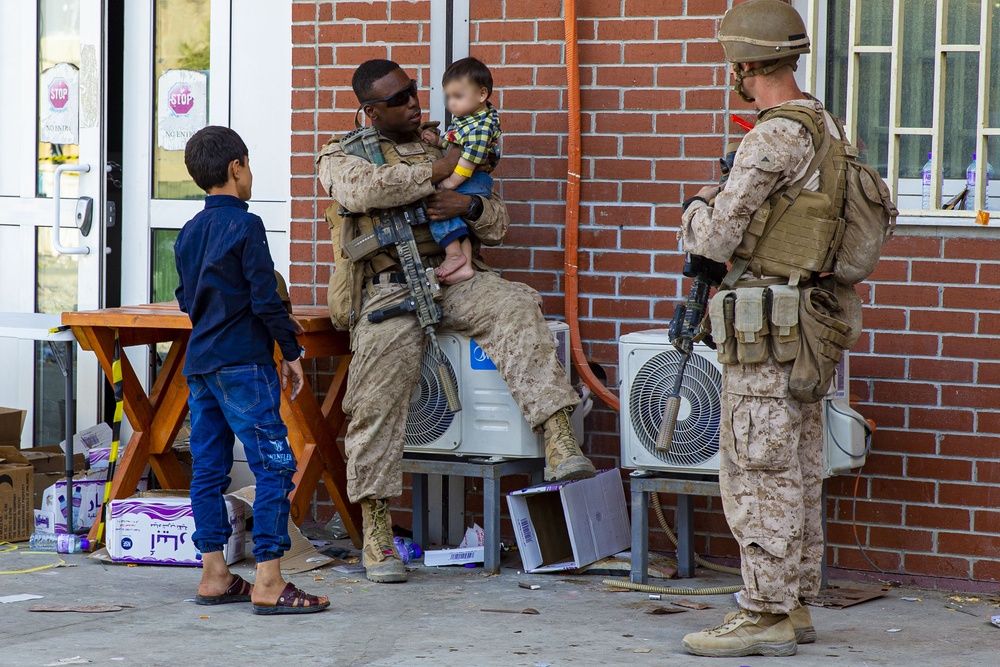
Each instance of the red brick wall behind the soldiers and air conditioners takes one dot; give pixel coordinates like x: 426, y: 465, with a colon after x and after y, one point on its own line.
x: 655, y: 108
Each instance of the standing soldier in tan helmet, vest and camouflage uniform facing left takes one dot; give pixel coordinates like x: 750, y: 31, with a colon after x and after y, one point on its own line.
x: 771, y: 443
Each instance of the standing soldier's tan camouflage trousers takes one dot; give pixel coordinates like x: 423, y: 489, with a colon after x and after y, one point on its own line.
x: 771, y: 476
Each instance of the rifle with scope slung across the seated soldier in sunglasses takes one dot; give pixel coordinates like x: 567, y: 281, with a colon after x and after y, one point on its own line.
x: 396, y: 228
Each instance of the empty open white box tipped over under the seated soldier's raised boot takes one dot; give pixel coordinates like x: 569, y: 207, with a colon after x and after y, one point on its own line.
x: 571, y: 524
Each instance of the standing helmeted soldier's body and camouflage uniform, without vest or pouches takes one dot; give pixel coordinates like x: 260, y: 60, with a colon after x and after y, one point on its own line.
x: 771, y: 445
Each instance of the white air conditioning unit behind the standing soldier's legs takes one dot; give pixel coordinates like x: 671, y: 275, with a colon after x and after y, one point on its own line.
x: 648, y: 364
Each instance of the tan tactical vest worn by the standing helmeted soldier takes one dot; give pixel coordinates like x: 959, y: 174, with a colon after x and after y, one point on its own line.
x: 798, y: 232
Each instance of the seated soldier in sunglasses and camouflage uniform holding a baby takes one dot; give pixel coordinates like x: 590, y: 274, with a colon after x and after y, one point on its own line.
x: 503, y: 317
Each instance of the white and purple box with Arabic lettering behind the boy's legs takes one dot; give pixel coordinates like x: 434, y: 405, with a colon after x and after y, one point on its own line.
x: 157, y: 527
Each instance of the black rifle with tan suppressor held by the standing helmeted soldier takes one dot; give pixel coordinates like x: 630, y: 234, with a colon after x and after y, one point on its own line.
x: 685, y: 331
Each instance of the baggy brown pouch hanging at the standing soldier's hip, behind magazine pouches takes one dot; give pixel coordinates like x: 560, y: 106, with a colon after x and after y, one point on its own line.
x: 824, y: 336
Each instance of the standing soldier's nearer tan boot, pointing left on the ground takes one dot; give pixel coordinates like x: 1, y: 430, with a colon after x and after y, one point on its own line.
x: 745, y: 633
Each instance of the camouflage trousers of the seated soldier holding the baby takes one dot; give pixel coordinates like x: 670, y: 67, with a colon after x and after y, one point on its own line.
x: 505, y: 320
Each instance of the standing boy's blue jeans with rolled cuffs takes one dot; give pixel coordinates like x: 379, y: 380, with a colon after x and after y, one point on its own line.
x: 242, y: 401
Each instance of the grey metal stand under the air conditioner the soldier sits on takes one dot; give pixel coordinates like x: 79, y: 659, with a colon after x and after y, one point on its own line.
x: 487, y: 470
